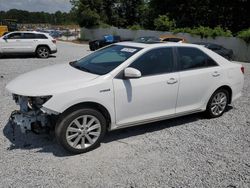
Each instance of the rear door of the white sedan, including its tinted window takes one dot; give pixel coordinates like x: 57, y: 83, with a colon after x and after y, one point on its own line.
x: 199, y: 75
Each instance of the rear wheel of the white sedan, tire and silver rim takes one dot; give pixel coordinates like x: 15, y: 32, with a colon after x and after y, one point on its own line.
x: 217, y: 103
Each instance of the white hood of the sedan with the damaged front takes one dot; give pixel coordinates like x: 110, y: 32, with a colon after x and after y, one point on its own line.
x: 49, y: 80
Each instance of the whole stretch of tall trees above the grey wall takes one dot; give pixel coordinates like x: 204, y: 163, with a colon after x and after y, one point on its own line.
x: 233, y: 15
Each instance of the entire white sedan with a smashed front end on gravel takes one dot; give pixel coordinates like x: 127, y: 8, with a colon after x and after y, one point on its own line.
x: 122, y: 85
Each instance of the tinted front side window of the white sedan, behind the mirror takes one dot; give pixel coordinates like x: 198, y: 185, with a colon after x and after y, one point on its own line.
x: 156, y: 61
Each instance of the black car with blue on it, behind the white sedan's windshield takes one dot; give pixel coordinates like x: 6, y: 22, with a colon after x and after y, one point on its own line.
x: 106, y: 40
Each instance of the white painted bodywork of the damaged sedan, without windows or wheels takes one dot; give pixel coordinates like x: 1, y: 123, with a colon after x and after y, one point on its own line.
x: 132, y: 101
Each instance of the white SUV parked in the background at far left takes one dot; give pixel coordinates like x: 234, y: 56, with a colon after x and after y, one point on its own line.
x: 26, y: 42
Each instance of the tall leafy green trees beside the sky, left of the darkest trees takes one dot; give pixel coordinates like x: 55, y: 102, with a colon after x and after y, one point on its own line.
x: 121, y: 13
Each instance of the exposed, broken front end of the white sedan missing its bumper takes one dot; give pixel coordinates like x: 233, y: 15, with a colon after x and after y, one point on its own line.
x: 31, y: 117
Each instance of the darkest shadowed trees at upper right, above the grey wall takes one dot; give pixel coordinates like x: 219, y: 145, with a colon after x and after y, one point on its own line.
x: 234, y: 14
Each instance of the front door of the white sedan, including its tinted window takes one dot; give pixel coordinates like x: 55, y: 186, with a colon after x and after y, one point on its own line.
x: 151, y: 96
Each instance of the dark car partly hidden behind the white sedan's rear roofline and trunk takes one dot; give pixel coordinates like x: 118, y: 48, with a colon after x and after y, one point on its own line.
x: 224, y: 52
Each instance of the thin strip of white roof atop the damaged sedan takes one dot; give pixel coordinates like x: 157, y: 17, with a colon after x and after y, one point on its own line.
x: 167, y: 44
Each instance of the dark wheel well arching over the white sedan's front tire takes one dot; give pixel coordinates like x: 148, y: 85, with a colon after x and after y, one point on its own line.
x: 93, y: 105
